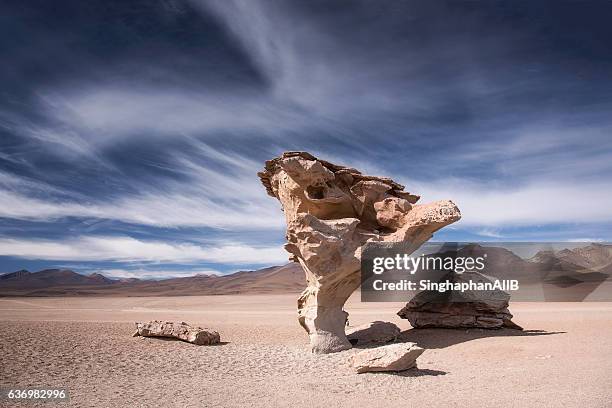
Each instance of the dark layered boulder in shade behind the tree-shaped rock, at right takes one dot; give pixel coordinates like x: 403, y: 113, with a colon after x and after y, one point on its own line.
x: 454, y: 309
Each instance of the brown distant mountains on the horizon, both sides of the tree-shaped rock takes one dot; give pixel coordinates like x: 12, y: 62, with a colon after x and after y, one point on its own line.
x: 584, y: 268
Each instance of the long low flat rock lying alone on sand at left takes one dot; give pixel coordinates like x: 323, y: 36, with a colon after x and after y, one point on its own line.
x: 181, y: 331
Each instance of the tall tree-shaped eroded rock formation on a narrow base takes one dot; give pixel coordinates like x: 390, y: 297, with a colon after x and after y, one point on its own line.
x: 331, y: 212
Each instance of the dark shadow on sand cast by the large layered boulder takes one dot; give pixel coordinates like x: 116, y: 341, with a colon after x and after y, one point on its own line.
x: 441, y: 338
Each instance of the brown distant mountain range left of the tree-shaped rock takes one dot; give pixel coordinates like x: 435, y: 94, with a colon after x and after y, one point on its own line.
x: 64, y: 282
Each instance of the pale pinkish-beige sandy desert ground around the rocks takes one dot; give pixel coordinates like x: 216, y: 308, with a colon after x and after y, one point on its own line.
x: 85, y: 344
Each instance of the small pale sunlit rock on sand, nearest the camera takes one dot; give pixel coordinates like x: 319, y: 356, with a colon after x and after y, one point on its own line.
x: 391, y: 357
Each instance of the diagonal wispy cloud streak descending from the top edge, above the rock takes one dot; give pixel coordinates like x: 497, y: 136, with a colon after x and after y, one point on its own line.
x: 307, y: 64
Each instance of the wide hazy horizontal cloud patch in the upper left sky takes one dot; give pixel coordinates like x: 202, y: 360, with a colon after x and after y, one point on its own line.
x: 97, y: 114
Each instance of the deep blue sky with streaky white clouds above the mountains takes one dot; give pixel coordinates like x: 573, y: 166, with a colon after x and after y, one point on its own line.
x: 131, y: 131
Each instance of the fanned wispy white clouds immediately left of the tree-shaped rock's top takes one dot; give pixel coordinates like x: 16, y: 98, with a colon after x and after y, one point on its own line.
x: 227, y: 197
